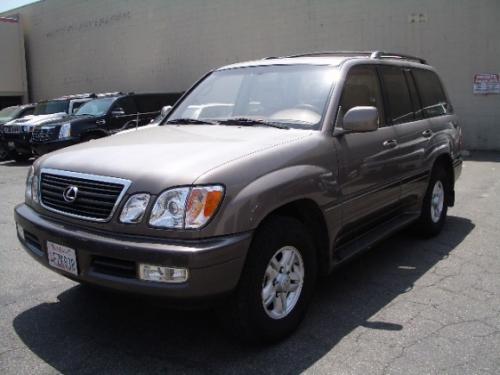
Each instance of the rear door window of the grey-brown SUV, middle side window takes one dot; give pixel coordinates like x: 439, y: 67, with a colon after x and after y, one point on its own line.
x: 400, y: 108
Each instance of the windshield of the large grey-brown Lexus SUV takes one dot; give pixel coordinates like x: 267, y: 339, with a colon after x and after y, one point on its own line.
x: 294, y: 96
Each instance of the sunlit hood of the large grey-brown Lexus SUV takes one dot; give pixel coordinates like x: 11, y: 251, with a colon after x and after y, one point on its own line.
x: 165, y: 156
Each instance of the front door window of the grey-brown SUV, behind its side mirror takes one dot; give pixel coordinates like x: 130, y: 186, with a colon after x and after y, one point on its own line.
x: 362, y: 88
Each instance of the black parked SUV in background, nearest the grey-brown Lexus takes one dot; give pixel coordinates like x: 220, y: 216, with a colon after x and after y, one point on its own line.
x: 99, y: 118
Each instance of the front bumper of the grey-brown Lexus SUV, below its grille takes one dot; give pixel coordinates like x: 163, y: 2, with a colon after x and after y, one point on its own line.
x: 214, y: 264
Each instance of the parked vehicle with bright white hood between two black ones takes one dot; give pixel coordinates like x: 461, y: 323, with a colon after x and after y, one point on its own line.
x: 17, y: 133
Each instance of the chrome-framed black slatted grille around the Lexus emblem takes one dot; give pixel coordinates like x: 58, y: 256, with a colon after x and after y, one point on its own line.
x: 96, y: 199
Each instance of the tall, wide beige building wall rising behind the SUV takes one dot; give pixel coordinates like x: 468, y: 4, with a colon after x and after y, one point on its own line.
x: 165, y: 45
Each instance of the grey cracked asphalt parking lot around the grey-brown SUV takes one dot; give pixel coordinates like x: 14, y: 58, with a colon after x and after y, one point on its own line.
x: 408, y: 306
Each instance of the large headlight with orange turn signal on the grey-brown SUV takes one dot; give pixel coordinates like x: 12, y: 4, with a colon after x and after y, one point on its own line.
x: 189, y: 208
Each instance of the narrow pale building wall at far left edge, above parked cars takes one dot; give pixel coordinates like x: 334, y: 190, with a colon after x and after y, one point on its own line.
x: 12, y: 60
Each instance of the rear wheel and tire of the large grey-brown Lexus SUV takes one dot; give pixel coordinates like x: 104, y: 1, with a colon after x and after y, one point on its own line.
x: 435, y: 204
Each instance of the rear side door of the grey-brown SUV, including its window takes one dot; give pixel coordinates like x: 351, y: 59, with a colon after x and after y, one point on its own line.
x: 413, y: 131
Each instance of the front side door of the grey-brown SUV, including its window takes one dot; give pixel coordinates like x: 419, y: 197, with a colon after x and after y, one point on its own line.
x: 368, y: 161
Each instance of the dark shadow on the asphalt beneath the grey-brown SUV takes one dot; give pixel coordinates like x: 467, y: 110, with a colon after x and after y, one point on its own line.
x: 89, y: 331
